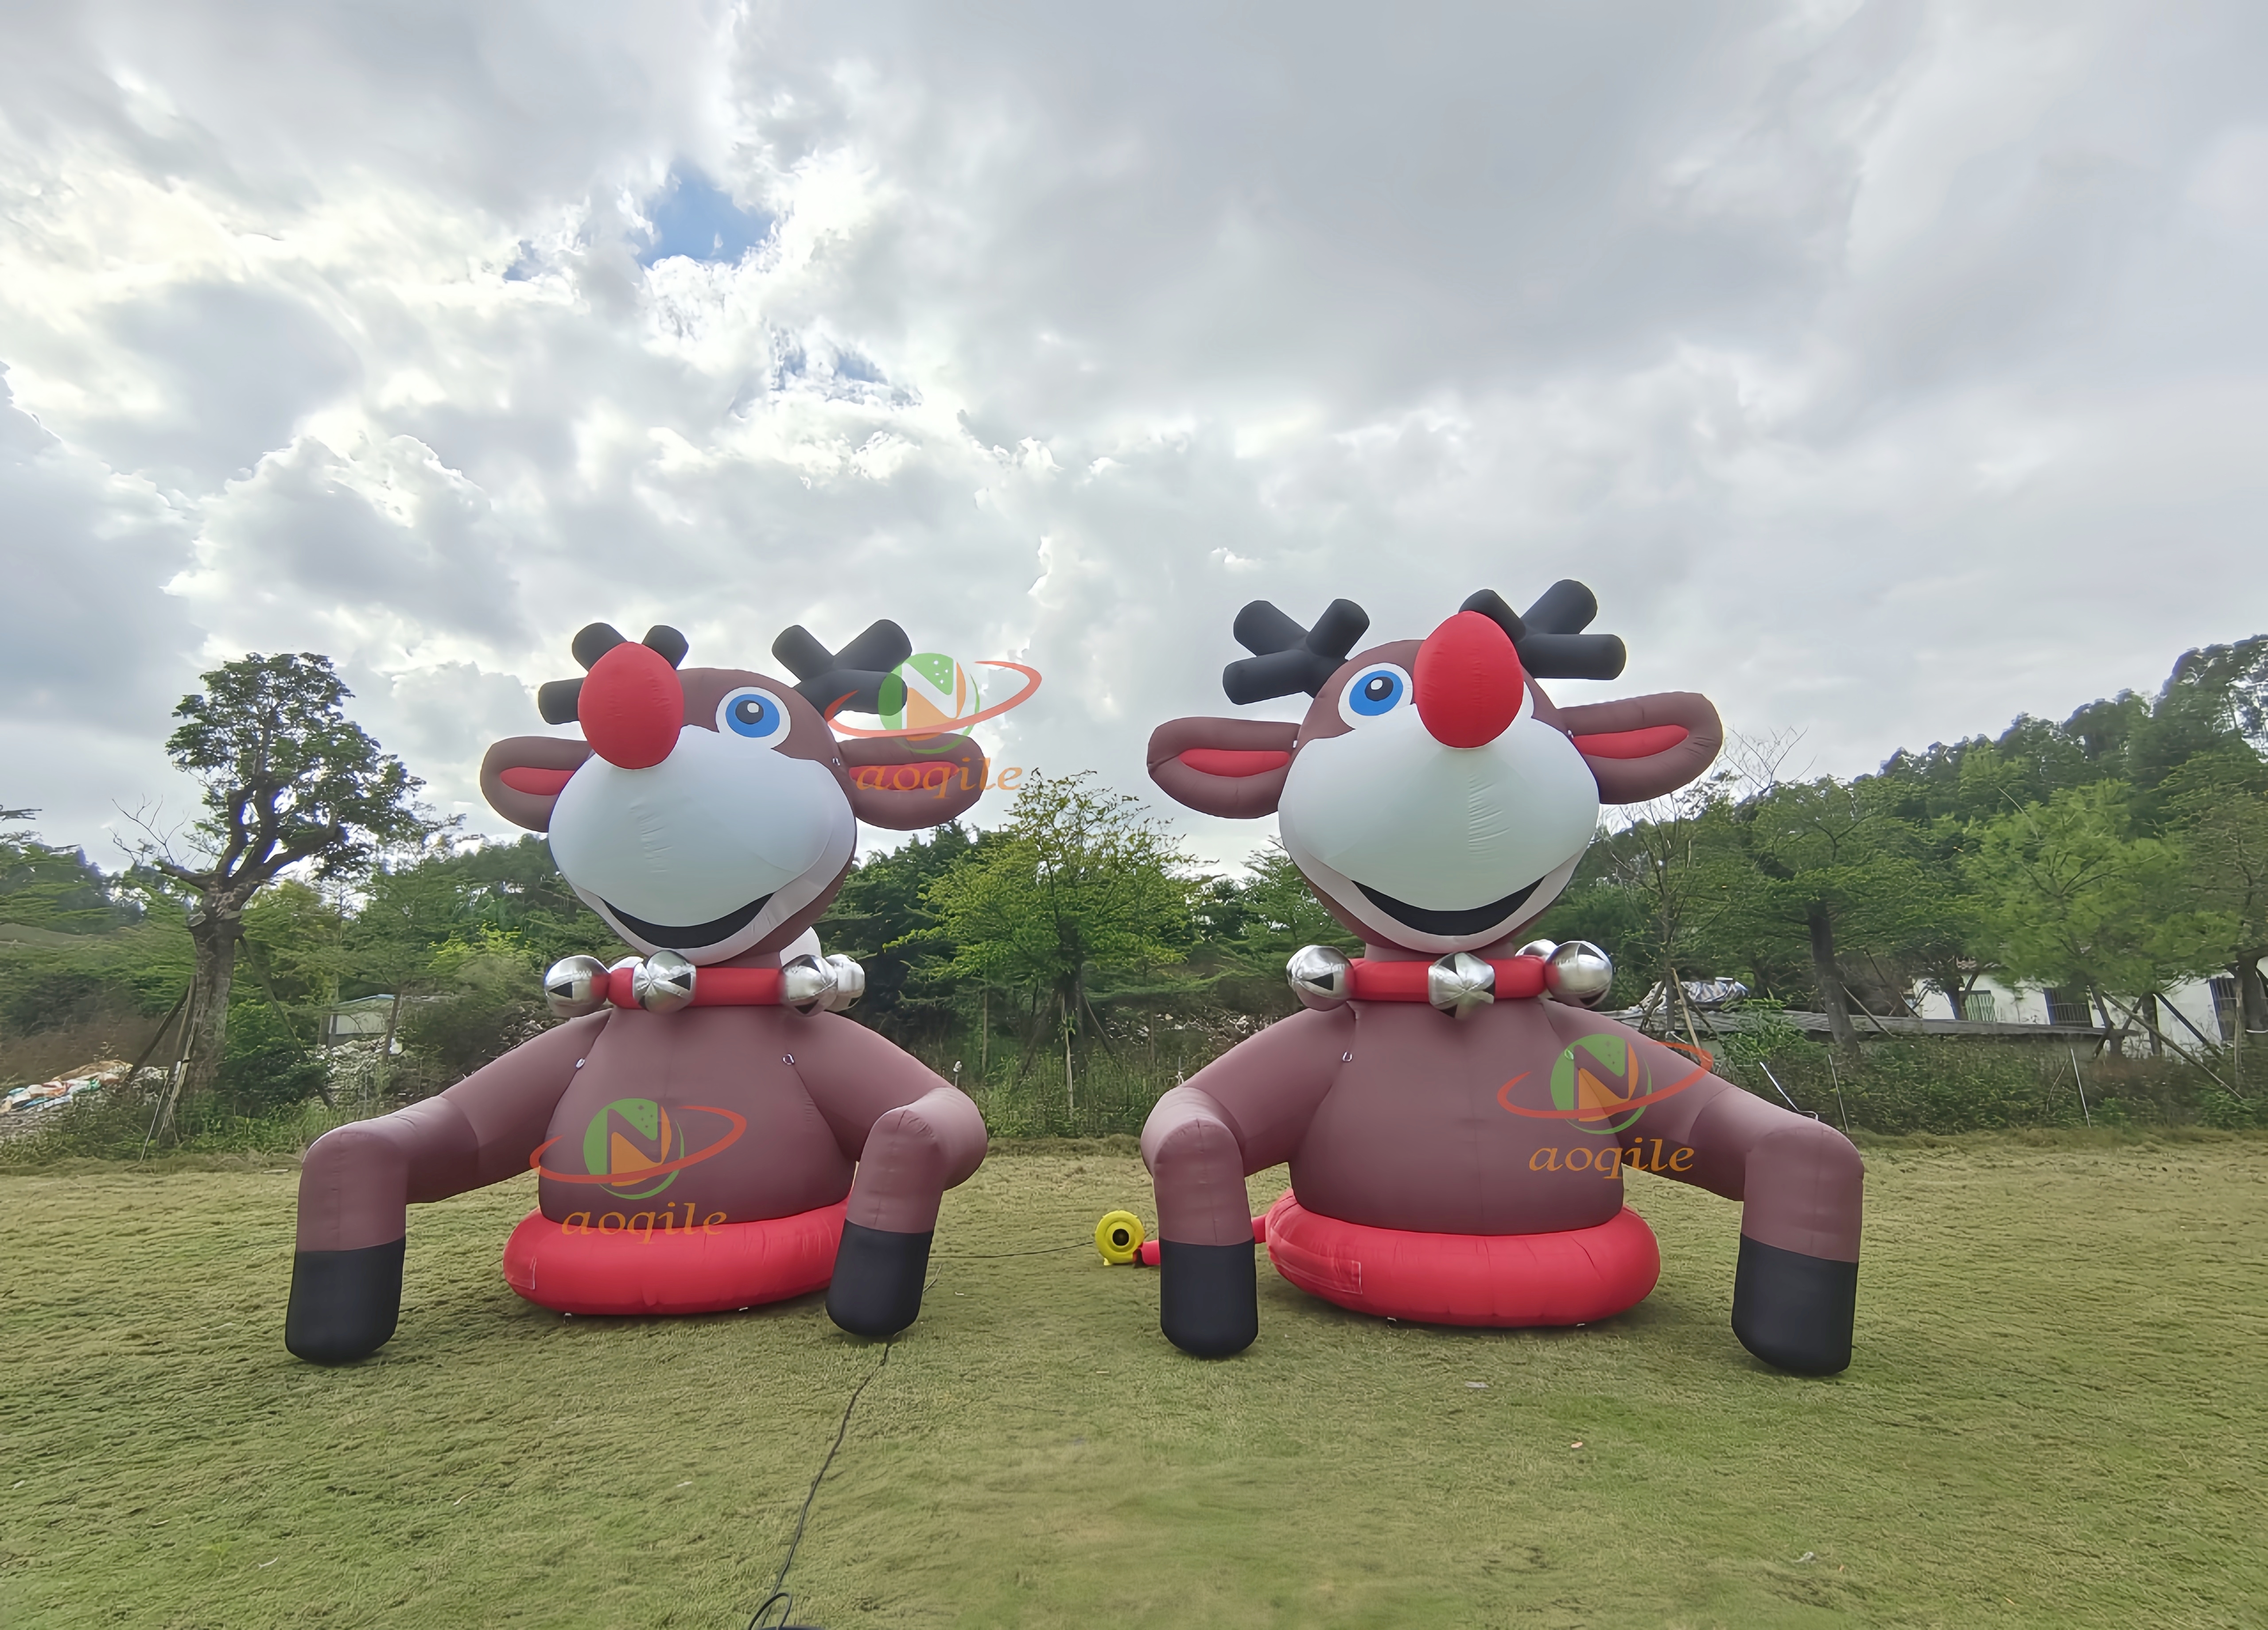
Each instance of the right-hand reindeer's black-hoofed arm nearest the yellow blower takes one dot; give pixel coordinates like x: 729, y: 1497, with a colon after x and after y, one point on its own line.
x: 1239, y: 1114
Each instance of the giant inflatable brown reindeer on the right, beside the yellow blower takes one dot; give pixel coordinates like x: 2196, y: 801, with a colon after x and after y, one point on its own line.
x: 1457, y: 1123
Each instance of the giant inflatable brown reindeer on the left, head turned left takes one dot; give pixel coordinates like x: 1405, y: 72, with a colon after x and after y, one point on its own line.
x: 706, y: 1132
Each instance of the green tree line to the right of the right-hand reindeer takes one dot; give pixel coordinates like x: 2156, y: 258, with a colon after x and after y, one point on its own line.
x: 2113, y: 856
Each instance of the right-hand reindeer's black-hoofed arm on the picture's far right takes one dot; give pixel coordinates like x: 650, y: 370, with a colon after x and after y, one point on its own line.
x: 1800, y: 1187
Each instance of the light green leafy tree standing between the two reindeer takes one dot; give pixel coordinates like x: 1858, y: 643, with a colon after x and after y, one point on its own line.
x: 1078, y: 883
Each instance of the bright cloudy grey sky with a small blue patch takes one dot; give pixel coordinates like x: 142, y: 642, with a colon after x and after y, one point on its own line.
x: 1886, y: 368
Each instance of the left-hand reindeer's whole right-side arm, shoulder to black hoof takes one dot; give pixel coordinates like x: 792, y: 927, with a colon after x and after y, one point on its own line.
x: 913, y: 1137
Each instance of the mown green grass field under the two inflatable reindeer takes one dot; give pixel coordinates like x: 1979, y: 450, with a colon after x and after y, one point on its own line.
x: 2056, y: 1420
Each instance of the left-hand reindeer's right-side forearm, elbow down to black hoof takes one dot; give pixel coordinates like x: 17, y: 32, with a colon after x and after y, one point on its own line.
x: 911, y: 1160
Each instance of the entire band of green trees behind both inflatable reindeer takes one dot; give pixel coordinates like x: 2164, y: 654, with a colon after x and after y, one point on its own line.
x: 2113, y: 854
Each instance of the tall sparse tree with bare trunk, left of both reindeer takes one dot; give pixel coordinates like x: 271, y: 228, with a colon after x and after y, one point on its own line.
x: 289, y: 781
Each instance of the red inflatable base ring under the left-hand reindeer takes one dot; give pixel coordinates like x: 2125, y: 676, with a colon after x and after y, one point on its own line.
x: 691, y: 1271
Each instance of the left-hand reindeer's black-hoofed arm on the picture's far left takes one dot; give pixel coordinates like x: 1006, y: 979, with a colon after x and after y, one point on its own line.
x: 359, y: 1180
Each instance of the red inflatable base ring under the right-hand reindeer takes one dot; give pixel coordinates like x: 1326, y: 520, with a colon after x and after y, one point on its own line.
x: 1493, y: 1280
